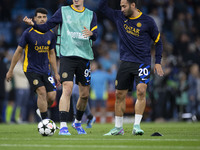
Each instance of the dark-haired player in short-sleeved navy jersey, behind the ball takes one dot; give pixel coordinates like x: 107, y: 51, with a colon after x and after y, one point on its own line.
x: 39, y: 54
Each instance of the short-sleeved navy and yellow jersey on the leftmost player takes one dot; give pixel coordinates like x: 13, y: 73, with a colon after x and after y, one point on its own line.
x: 36, y: 50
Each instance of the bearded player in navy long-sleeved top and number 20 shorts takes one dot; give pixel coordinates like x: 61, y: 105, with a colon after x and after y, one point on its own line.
x: 136, y: 31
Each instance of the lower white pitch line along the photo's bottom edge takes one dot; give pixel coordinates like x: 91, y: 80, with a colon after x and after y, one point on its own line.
x: 100, y: 146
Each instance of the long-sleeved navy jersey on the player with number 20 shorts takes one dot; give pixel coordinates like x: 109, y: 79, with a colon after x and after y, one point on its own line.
x: 136, y: 35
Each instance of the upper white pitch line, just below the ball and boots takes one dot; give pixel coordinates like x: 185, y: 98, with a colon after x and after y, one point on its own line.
x: 100, y: 139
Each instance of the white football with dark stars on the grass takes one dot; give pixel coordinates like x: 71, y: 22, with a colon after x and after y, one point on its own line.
x: 46, y: 127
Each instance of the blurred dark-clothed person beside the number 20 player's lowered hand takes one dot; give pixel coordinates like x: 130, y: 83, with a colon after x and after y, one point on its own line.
x: 165, y: 91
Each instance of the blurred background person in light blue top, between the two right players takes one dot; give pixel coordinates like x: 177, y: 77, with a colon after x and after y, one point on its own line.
x: 99, y: 89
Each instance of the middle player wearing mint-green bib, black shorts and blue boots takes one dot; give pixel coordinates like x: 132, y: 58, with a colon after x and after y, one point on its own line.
x: 77, y: 29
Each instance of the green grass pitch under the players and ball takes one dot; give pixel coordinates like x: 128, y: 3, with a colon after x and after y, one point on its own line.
x: 176, y: 136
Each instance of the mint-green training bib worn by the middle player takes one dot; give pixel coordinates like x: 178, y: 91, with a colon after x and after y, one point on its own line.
x: 70, y: 41
